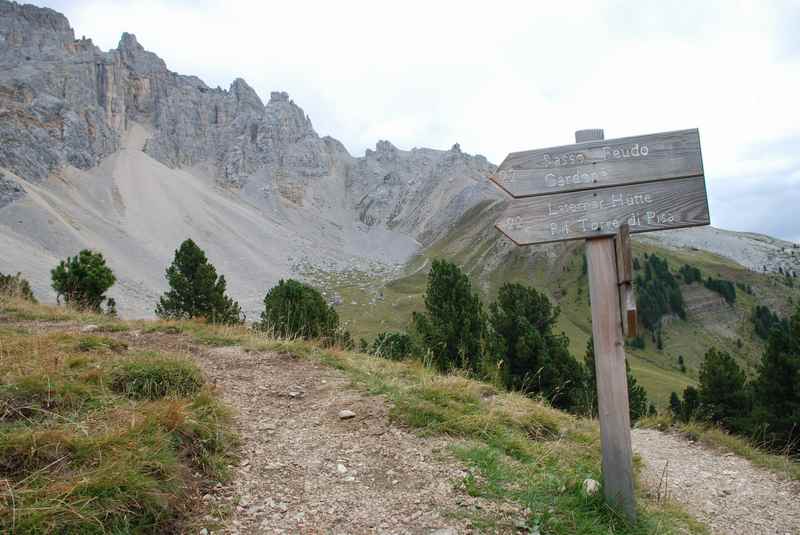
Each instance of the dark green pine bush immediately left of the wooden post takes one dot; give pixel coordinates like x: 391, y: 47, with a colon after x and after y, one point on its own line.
x: 531, y: 358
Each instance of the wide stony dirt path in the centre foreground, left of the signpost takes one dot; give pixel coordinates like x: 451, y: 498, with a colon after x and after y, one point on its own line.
x: 306, y: 468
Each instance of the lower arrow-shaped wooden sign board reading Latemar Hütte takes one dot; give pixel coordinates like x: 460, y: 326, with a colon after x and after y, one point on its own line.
x: 585, y: 214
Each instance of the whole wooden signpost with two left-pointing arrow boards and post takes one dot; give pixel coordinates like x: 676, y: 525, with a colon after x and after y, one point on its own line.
x: 602, y: 191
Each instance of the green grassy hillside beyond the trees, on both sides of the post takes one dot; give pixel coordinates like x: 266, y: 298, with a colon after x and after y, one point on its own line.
x: 371, y: 305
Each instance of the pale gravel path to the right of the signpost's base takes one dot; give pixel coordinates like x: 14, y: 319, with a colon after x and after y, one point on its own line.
x: 726, y: 492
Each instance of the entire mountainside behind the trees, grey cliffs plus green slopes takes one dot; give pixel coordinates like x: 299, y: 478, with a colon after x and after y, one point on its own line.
x: 110, y: 150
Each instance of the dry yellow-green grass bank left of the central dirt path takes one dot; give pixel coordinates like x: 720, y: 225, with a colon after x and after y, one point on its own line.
x: 95, y: 438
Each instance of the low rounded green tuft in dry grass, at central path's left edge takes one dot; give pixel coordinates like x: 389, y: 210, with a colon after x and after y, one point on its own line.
x: 156, y: 378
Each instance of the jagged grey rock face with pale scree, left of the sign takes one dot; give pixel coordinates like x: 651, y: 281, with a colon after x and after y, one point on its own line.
x: 94, y: 142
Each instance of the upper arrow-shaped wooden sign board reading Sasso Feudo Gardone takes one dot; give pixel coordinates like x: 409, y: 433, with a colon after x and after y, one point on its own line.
x: 604, y: 163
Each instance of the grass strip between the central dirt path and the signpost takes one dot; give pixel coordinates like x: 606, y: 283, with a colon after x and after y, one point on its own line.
x: 518, y: 450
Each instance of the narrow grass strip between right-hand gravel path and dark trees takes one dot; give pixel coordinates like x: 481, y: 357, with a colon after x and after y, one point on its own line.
x: 781, y: 465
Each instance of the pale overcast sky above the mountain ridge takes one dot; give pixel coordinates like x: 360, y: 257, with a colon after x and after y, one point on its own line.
x: 503, y: 76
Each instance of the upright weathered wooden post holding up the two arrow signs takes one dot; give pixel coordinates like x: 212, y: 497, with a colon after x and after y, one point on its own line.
x: 609, y: 357
